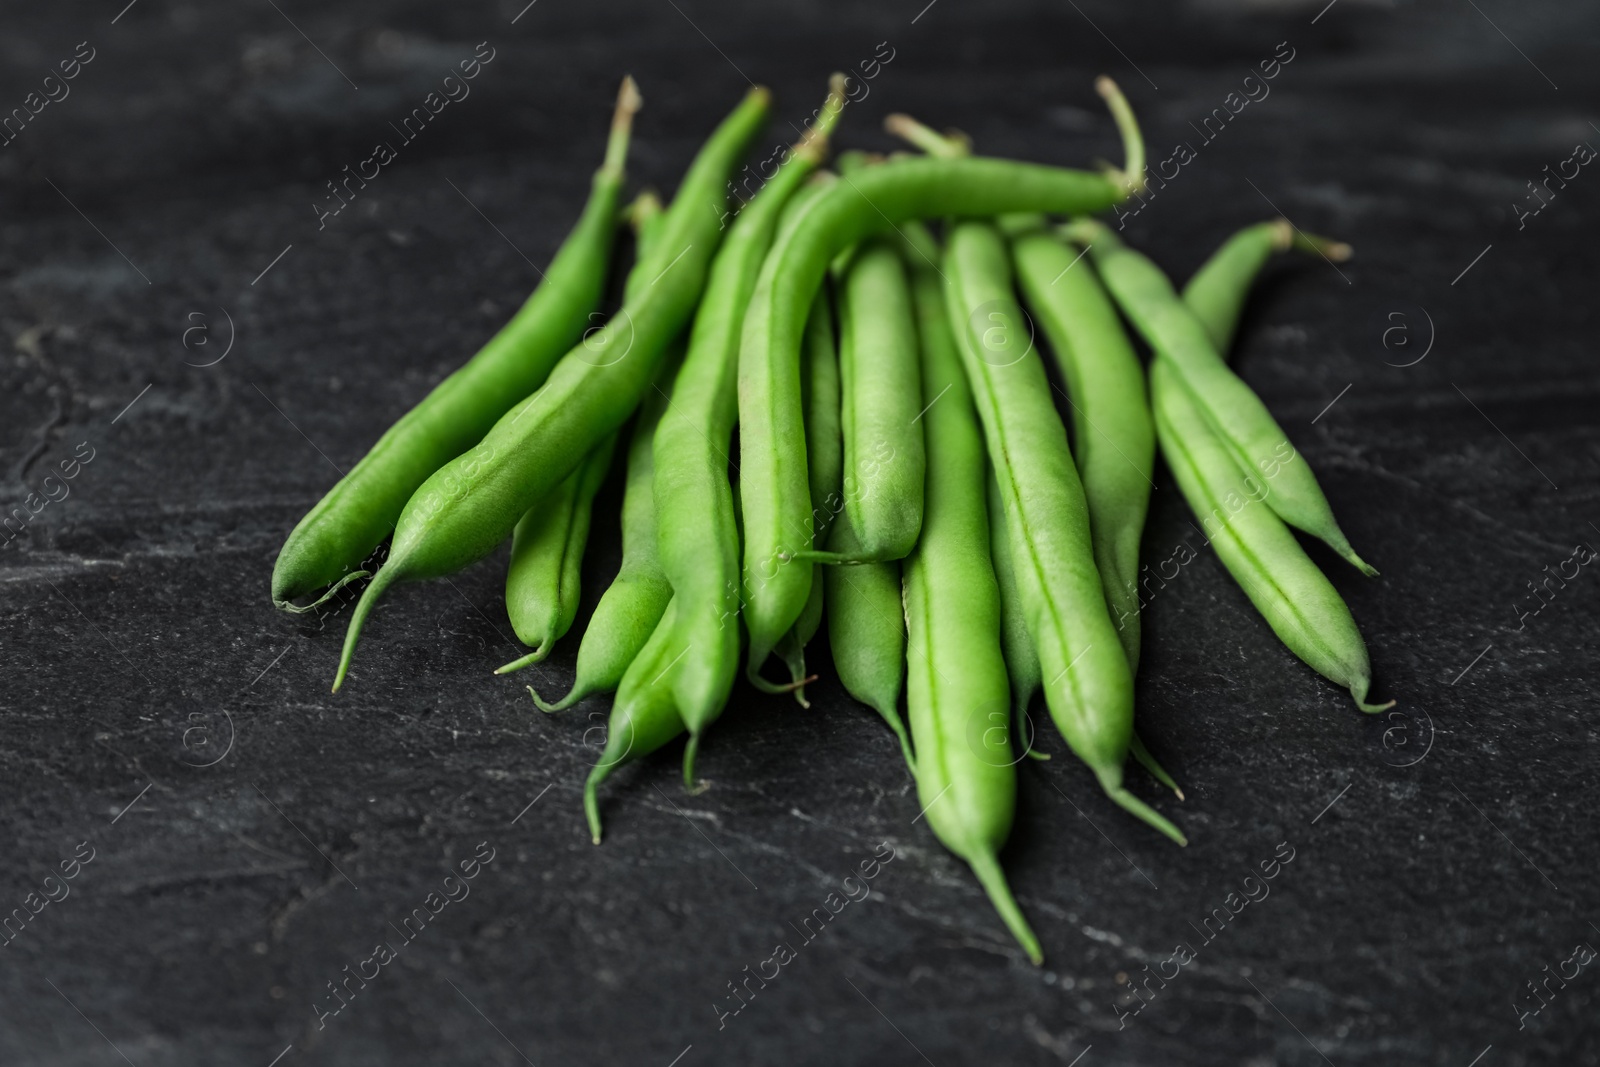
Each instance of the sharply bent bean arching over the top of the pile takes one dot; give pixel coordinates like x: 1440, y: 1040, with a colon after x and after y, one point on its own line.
x: 772, y: 458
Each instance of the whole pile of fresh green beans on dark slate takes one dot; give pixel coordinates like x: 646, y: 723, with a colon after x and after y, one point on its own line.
x: 844, y: 425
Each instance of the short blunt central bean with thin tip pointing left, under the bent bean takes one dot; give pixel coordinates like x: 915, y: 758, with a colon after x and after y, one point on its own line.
x: 881, y: 399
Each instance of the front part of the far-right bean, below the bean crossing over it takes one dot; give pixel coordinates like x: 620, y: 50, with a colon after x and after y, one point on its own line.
x: 1297, y: 599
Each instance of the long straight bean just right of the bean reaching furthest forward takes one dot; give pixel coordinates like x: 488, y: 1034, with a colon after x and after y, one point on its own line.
x: 1089, y: 684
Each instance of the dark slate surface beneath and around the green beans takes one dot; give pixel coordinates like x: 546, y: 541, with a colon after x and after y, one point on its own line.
x: 254, y: 834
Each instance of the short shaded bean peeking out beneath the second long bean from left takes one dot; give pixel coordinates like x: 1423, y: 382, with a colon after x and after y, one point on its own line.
x: 548, y: 556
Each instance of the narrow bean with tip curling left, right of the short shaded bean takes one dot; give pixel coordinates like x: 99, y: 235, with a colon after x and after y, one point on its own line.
x: 638, y: 597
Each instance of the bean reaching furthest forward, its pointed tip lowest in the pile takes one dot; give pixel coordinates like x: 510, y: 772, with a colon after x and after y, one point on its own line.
x: 956, y: 673
